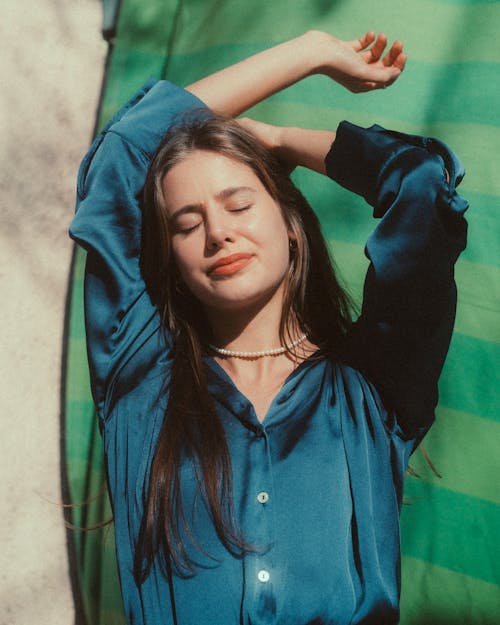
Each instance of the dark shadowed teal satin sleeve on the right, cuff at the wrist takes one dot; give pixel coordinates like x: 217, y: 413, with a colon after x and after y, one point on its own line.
x: 402, y: 336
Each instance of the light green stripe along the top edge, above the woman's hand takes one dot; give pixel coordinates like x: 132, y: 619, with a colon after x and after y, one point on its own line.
x: 444, y: 25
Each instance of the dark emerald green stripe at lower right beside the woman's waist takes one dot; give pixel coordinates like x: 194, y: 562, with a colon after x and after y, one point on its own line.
x: 462, y: 536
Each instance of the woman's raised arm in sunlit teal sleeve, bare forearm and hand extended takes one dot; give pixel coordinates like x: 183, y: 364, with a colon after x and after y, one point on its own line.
x: 120, y: 318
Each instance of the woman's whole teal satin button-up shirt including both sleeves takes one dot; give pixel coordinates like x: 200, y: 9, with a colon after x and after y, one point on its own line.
x: 318, y: 484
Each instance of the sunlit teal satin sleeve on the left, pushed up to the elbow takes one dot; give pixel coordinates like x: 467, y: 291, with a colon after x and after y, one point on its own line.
x: 119, y: 316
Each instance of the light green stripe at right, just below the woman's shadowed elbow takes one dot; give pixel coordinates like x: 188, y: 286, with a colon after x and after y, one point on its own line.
x: 454, y: 439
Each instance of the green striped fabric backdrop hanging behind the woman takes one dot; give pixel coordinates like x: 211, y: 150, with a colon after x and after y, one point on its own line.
x: 450, y: 89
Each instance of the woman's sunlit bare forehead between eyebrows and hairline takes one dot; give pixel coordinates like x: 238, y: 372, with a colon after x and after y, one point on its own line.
x: 203, y: 175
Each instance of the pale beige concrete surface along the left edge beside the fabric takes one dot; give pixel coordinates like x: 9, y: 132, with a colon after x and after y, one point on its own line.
x: 51, y: 66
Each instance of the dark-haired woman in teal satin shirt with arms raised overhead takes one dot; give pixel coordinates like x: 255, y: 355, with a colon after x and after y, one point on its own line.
x: 256, y: 440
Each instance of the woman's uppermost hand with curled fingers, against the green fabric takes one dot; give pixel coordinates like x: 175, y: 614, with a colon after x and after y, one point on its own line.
x: 357, y: 65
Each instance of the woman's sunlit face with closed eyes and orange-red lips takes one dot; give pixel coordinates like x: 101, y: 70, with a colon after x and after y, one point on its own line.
x: 229, y: 238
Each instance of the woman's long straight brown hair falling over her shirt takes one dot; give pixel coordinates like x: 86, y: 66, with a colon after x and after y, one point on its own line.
x: 313, y: 300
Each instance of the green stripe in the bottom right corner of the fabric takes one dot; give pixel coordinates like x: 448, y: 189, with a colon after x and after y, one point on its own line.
x: 434, y: 595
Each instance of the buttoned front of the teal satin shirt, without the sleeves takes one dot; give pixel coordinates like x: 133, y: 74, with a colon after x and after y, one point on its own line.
x: 304, y: 485
